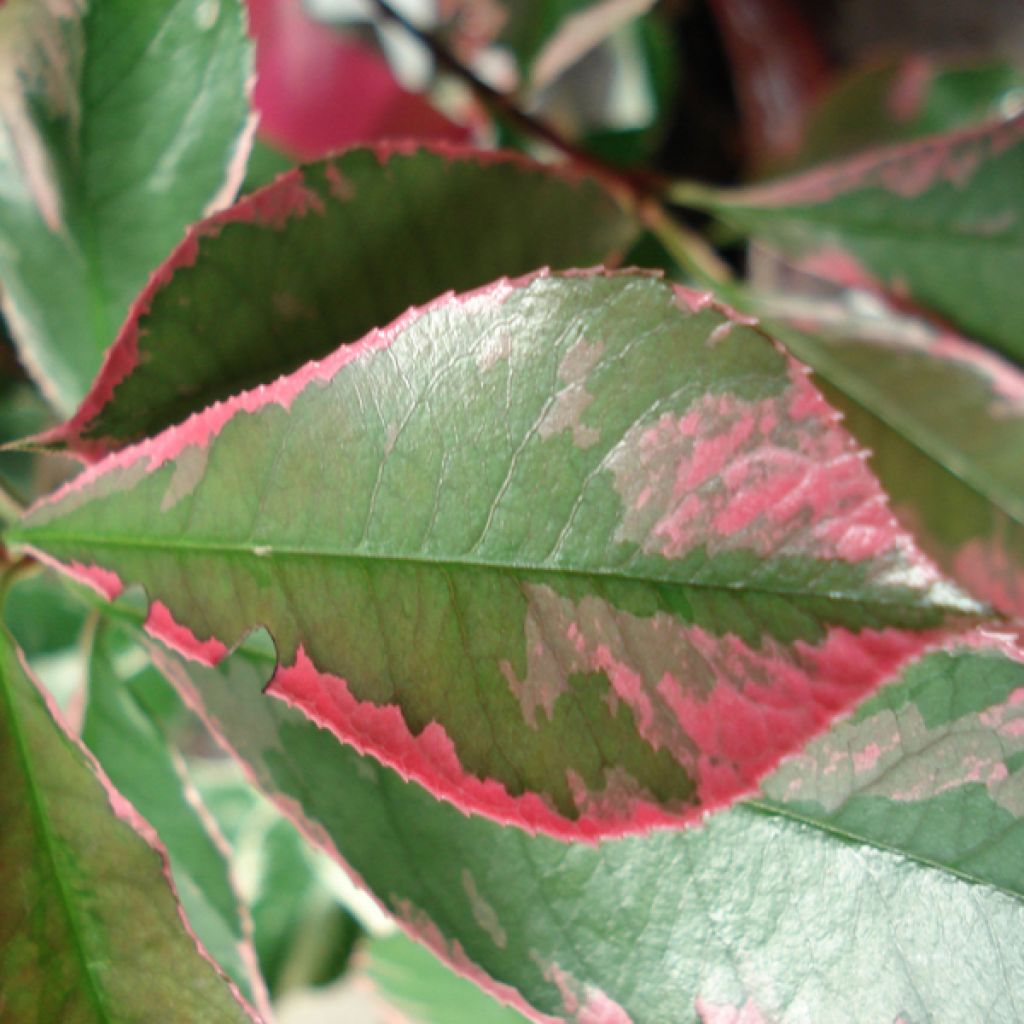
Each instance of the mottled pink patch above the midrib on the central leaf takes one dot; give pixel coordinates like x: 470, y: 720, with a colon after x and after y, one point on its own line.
x: 778, y: 477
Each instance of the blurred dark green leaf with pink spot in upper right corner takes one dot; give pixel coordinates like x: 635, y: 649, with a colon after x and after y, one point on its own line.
x: 897, y: 100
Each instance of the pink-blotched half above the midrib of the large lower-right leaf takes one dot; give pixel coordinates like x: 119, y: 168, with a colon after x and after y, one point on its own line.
x: 929, y: 766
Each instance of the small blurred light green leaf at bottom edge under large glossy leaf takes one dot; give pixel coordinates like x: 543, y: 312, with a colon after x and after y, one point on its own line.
x: 426, y: 991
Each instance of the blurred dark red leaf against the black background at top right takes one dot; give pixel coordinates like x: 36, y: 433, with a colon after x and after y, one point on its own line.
x: 779, y: 68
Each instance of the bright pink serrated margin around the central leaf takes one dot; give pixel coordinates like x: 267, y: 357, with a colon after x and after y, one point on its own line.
x: 431, y: 758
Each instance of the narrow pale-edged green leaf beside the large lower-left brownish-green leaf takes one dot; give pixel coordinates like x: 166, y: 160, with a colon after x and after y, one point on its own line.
x: 130, y: 726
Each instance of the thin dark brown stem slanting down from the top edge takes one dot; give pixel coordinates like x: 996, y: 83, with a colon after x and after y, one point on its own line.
x: 641, y: 184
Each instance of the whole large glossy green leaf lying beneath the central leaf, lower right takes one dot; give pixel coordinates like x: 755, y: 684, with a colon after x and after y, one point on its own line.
x: 776, y: 915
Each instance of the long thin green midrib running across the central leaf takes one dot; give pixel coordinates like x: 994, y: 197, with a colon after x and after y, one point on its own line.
x: 274, y: 551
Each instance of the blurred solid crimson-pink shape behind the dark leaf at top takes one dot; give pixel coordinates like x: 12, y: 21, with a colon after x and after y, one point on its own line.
x: 318, y: 92
